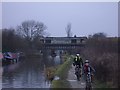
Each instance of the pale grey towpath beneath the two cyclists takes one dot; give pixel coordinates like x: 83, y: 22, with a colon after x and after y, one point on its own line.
x: 73, y: 80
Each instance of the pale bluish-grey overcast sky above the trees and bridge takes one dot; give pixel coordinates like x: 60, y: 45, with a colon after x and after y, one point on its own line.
x: 86, y: 18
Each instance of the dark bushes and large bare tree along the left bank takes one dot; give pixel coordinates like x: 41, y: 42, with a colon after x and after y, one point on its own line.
x: 25, y: 37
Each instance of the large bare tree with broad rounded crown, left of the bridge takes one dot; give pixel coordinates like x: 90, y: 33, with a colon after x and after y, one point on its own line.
x: 31, y: 29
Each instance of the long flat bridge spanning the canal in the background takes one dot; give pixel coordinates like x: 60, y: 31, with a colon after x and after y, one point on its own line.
x: 62, y: 43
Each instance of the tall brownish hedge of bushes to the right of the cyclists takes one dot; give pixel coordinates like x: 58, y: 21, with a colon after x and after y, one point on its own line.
x: 103, y: 54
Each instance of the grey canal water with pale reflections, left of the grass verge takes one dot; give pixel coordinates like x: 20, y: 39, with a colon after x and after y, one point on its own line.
x: 28, y: 73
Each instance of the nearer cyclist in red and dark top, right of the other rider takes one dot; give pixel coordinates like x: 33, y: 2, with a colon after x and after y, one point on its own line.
x: 87, y: 68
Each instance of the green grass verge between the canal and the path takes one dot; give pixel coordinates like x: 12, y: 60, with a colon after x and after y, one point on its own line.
x: 62, y: 72
